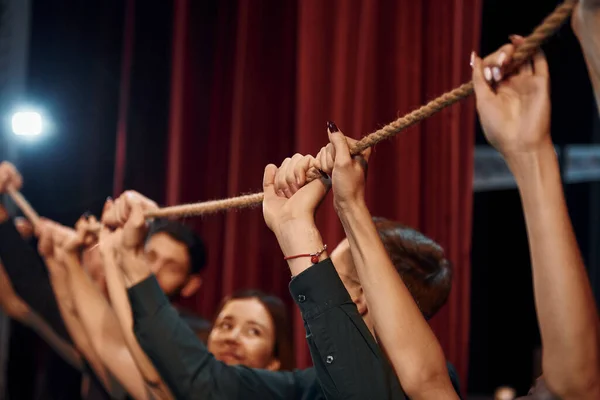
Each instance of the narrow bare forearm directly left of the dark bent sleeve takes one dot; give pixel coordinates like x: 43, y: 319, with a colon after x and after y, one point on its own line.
x: 120, y: 304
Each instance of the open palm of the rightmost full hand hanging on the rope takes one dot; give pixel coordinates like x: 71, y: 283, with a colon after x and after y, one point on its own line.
x: 517, y: 117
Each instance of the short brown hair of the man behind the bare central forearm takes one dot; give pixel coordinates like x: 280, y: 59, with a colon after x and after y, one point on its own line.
x: 420, y: 262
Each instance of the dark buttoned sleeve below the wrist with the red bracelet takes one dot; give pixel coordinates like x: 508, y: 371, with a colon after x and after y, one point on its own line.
x: 348, y: 362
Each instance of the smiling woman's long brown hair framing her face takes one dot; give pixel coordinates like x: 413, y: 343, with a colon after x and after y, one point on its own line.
x: 283, y: 349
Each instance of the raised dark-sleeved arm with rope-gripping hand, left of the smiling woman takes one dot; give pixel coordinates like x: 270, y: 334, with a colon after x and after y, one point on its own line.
x: 182, y: 360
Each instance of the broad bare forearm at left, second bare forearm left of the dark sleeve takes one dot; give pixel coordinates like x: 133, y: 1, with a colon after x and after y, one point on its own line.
x: 101, y: 326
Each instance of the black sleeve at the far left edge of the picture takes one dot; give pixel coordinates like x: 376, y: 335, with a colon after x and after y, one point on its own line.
x: 29, y: 277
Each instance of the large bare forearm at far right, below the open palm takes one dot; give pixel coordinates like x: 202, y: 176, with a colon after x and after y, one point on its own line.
x: 564, y: 300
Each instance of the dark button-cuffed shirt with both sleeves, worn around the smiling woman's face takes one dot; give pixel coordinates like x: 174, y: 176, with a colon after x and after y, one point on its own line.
x: 348, y: 362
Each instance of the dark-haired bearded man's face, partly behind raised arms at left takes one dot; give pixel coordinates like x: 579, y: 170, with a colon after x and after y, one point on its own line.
x: 169, y: 260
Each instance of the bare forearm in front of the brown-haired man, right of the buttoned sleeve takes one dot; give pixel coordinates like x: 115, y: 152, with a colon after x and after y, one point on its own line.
x: 412, y: 347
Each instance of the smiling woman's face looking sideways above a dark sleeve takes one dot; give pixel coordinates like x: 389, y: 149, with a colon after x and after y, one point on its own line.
x: 244, y: 334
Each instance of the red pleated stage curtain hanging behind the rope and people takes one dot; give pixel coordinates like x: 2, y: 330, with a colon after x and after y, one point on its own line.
x: 255, y: 81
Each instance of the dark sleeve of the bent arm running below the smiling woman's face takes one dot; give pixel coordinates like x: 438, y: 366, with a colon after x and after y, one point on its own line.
x: 187, y: 366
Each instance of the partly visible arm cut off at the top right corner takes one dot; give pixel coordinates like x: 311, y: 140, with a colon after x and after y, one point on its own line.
x: 586, y: 25
